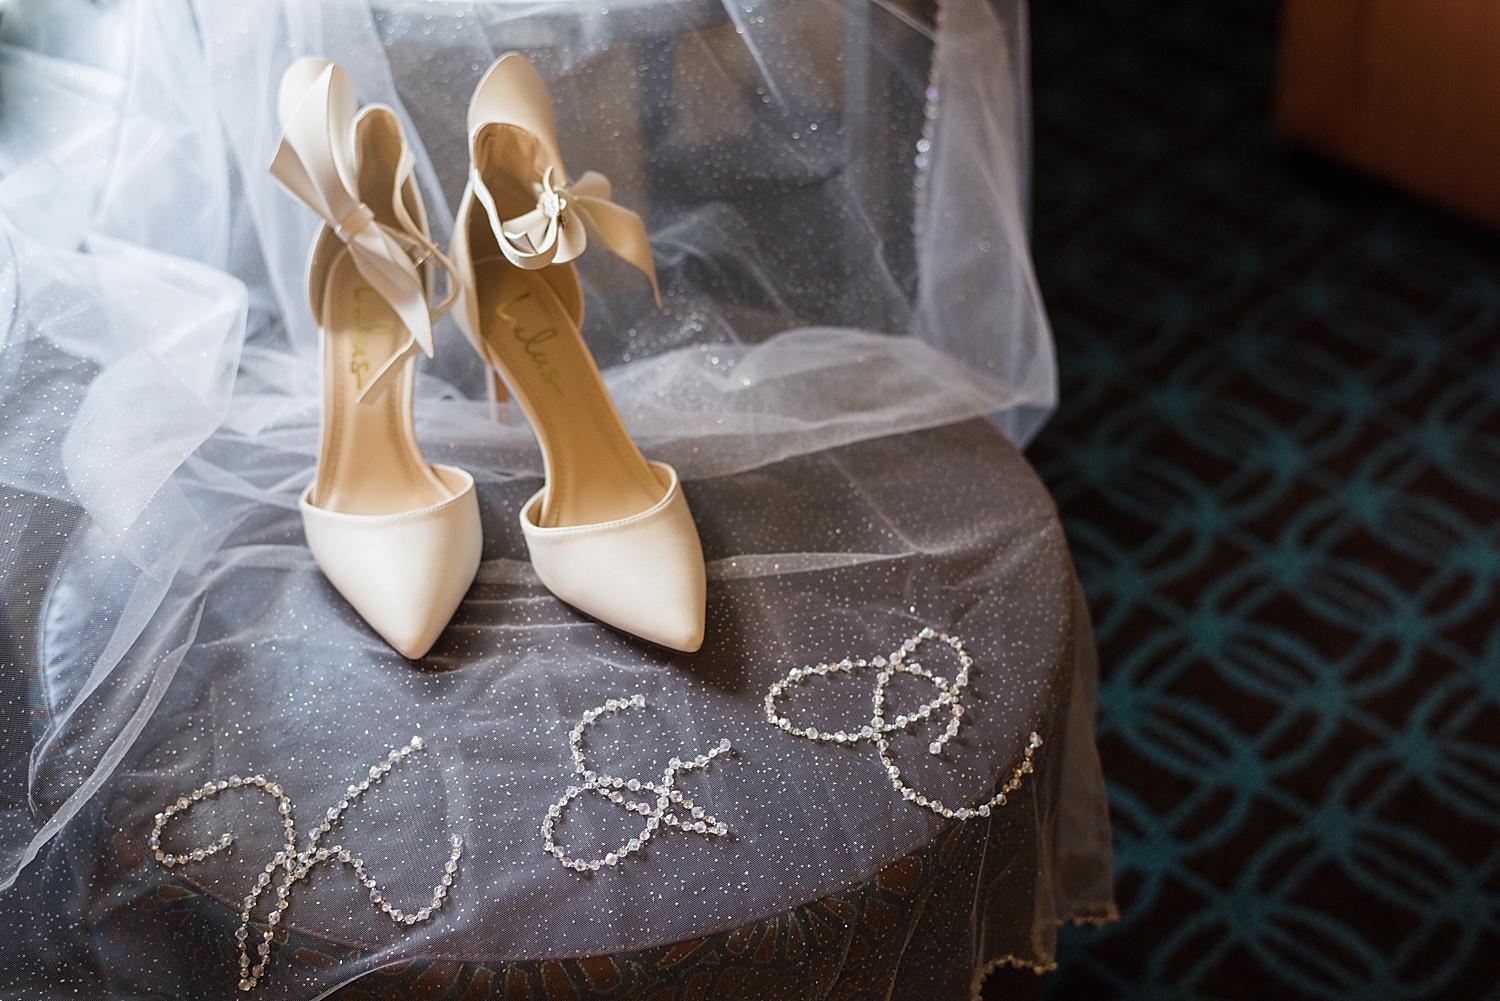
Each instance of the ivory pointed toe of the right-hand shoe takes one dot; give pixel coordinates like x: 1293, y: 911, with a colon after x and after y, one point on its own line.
x: 641, y: 574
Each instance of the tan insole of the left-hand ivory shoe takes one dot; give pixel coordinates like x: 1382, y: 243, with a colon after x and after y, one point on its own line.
x: 370, y: 463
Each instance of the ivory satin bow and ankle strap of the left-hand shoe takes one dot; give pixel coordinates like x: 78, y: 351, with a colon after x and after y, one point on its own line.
x: 317, y: 161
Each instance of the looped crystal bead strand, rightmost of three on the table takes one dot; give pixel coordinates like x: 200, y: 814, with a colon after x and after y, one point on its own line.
x: 949, y: 699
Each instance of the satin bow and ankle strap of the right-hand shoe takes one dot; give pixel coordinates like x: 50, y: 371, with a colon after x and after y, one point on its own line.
x: 557, y: 230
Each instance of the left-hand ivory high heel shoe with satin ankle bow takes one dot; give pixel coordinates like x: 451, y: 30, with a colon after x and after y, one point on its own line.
x: 398, y: 538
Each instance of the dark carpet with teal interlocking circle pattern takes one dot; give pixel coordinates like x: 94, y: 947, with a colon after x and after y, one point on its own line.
x: 1279, y: 463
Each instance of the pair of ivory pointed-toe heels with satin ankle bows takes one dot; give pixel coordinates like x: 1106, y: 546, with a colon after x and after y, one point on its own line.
x: 610, y: 534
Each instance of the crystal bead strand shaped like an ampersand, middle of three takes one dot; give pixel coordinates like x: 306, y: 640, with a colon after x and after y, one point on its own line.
x: 658, y: 804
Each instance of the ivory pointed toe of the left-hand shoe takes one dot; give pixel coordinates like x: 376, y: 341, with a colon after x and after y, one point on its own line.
x: 404, y: 574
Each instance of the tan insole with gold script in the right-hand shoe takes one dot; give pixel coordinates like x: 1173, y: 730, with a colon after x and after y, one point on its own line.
x: 595, y: 472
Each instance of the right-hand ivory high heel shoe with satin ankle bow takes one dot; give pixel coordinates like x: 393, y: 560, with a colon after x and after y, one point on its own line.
x: 610, y: 534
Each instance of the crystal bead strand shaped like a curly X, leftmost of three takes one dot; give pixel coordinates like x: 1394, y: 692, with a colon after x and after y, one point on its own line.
x: 296, y: 865
